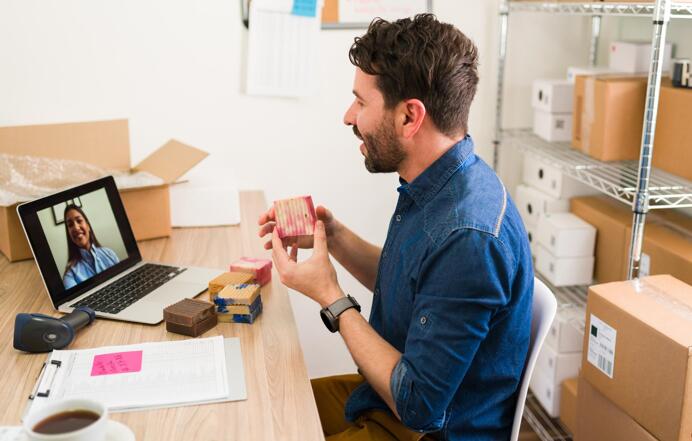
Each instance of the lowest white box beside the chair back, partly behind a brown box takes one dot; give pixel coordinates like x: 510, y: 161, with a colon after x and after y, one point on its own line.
x: 550, y: 371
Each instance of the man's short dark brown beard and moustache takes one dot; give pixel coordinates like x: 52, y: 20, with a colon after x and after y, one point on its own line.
x: 385, y: 153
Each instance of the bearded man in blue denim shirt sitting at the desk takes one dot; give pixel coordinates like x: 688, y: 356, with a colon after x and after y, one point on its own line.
x: 443, y: 352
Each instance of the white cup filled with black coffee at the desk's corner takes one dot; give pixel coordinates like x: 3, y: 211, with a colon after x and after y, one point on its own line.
x: 95, y: 431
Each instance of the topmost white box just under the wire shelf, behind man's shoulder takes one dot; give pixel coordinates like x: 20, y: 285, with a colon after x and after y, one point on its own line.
x: 552, y: 181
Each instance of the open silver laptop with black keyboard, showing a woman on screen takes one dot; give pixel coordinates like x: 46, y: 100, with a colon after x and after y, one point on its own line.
x: 87, y: 256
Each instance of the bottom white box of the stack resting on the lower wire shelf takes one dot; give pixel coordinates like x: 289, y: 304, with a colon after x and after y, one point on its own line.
x: 564, y: 271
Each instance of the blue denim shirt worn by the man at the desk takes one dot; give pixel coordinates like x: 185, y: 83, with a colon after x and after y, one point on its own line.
x: 453, y: 294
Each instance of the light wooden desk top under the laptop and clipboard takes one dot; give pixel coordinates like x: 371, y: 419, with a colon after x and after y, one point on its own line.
x: 280, y: 404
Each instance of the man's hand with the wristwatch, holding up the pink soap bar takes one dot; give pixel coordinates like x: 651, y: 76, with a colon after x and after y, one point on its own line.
x: 315, y: 277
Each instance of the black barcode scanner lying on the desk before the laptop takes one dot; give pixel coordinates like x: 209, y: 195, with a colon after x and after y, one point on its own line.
x: 42, y: 333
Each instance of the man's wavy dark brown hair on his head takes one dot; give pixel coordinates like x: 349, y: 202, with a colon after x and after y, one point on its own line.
x: 425, y: 59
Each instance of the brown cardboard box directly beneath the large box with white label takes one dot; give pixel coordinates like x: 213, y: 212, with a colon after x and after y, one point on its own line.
x: 600, y: 419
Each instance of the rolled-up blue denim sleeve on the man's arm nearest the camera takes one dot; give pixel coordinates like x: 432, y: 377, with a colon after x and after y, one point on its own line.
x: 463, y: 283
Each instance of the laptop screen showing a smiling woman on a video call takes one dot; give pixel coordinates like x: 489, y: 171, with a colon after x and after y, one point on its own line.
x: 80, y: 237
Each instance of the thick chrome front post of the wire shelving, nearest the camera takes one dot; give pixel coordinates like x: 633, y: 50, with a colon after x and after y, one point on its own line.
x: 640, y: 204
